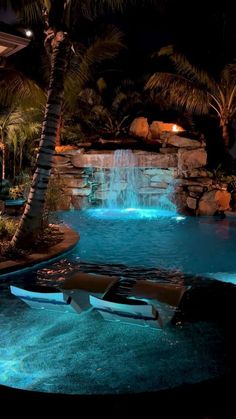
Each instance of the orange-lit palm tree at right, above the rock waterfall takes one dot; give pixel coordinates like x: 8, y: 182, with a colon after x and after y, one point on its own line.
x: 198, y: 92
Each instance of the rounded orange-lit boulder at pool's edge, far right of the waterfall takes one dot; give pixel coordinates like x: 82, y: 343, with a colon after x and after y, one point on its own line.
x: 214, y: 201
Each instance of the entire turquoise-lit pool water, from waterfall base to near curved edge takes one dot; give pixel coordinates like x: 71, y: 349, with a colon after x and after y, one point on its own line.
x: 83, y: 354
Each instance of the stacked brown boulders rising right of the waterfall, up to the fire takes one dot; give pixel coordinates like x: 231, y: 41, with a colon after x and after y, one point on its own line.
x: 196, y: 190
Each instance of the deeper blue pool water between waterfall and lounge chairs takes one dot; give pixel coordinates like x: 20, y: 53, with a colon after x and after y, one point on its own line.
x: 157, y: 239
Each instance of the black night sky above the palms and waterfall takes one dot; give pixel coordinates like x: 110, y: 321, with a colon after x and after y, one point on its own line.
x: 203, y: 30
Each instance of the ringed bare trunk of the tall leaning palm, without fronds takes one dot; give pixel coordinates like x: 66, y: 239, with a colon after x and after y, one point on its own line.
x: 30, y: 223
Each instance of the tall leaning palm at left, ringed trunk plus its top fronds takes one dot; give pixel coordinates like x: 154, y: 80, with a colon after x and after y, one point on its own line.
x: 57, y: 14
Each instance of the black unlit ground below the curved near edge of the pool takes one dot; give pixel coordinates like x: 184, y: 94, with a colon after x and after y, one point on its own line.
x: 213, y: 399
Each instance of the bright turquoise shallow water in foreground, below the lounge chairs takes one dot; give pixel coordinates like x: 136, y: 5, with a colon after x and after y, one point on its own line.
x: 82, y: 354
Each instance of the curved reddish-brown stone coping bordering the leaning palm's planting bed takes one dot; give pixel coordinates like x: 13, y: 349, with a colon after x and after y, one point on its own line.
x: 70, y: 239
